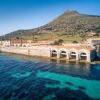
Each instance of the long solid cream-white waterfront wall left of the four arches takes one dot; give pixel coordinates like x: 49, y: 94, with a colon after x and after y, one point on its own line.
x: 33, y: 51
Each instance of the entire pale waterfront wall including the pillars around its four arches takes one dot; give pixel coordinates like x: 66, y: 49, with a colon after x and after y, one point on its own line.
x: 46, y: 51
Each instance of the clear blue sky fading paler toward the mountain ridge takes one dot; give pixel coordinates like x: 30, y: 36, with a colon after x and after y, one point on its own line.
x: 28, y: 14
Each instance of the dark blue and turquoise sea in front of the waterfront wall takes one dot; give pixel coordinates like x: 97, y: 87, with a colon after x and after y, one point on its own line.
x: 25, y: 78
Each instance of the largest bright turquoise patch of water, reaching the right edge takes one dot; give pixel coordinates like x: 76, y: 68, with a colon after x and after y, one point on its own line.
x: 91, y: 87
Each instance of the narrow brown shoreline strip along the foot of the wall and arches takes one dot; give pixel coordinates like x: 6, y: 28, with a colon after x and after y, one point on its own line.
x: 48, y: 59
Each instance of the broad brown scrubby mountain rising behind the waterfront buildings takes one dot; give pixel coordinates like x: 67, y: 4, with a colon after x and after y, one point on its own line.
x: 68, y: 23
